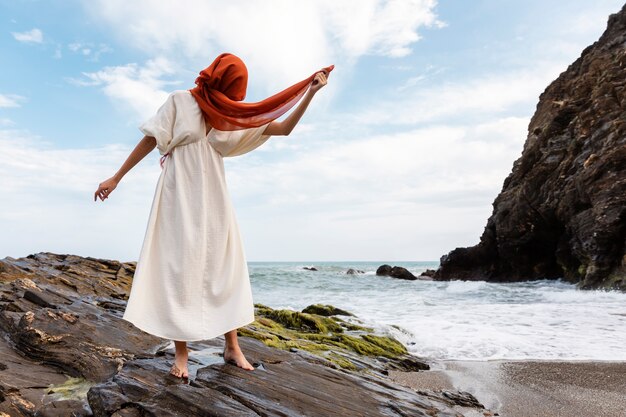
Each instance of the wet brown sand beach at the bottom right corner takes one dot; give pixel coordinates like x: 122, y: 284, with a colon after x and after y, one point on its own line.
x: 531, y: 388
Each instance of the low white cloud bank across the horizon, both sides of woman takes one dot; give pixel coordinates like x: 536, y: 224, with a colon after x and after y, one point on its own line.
x: 417, y: 191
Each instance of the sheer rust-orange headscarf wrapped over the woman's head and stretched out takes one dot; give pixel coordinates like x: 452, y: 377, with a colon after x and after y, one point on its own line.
x: 221, y: 87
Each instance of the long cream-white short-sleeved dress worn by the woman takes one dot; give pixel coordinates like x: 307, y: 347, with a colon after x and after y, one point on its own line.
x: 191, y: 281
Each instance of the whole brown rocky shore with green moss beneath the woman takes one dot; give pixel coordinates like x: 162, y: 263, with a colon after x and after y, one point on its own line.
x: 65, y: 351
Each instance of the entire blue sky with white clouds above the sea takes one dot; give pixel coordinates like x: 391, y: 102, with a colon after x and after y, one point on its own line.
x: 398, y: 158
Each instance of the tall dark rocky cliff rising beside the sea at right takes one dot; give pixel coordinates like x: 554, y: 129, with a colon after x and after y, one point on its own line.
x: 562, y: 210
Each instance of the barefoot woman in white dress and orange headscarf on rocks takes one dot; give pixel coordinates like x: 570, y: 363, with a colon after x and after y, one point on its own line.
x: 191, y: 281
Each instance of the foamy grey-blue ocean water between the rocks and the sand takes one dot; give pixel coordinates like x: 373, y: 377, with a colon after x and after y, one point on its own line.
x: 457, y: 320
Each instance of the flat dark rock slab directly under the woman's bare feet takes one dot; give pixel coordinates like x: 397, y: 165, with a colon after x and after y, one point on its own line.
x: 282, y: 384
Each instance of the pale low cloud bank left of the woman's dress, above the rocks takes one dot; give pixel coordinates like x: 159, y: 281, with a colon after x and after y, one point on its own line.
x: 48, y: 205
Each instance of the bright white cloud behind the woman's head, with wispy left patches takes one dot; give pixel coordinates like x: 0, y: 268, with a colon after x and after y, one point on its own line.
x: 281, y: 41
